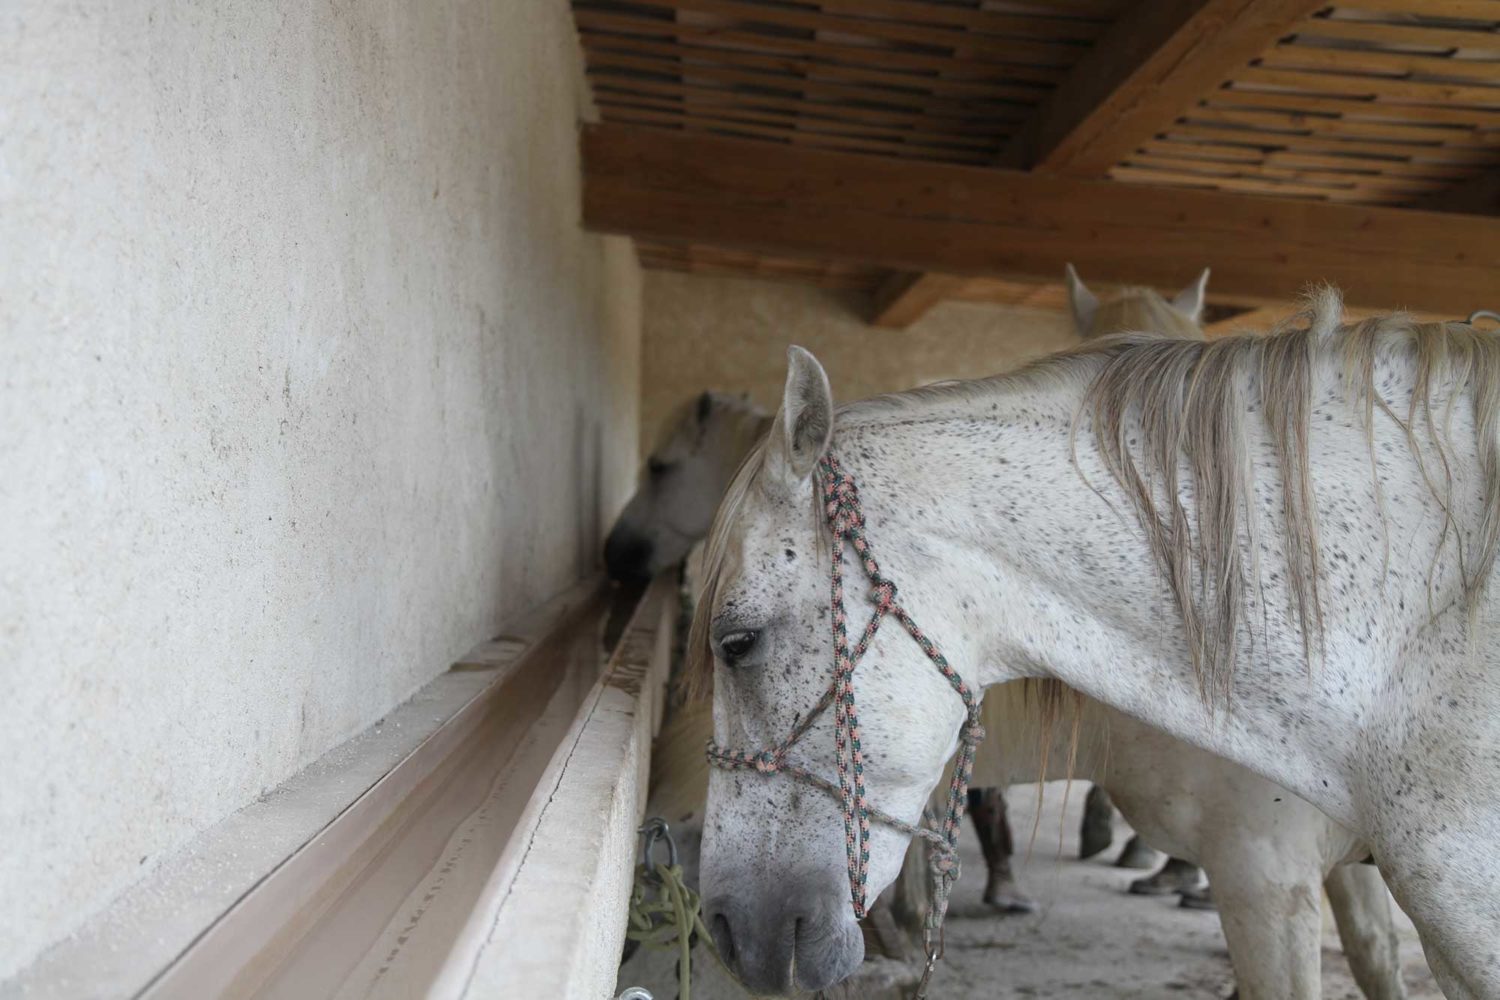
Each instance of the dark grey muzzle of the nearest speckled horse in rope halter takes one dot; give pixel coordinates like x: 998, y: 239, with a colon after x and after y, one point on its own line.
x: 787, y: 939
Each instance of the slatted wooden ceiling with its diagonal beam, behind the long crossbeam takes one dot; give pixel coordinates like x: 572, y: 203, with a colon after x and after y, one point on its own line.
x: 1364, y: 103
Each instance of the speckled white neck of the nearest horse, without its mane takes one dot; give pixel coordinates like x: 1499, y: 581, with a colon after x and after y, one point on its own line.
x: 1036, y: 567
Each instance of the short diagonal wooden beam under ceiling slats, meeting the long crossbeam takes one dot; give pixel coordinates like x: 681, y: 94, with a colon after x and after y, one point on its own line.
x: 1153, y: 65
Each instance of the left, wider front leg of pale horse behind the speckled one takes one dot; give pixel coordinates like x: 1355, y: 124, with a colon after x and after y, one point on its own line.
x: 1273, y: 918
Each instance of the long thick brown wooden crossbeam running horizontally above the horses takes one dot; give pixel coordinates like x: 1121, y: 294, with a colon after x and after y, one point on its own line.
x: 920, y: 217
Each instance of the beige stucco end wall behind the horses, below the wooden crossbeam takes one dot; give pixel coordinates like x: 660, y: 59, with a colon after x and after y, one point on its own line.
x: 731, y: 334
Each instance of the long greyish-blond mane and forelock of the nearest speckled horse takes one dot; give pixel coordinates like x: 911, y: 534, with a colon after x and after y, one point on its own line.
x: 1159, y: 407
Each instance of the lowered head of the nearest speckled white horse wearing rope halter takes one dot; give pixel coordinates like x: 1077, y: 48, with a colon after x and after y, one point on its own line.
x: 787, y: 869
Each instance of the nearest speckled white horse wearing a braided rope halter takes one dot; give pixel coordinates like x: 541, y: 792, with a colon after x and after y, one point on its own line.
x: 1273, y: 549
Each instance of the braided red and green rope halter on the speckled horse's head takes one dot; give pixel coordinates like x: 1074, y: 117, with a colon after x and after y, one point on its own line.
x: 845, y: 516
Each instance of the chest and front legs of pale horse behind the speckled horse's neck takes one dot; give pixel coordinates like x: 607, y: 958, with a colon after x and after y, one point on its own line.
x: 1267, y: 851
